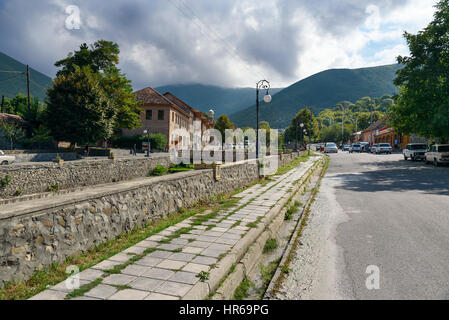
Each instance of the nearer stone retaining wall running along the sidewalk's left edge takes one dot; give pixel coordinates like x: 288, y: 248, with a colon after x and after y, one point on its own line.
x: 37, y: 237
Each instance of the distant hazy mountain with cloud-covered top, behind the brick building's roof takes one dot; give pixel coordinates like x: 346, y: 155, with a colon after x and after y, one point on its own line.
x: 221, y: 100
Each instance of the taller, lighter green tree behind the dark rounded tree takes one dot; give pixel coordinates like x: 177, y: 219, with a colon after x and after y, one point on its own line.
x: 102, y: 59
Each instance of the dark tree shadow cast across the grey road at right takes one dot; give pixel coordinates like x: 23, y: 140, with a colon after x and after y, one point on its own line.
x: 398, y: 176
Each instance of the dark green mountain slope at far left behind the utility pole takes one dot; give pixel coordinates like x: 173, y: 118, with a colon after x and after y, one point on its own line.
x: 13, y: 83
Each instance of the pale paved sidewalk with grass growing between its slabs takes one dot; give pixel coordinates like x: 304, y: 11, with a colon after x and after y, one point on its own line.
x: 173, y: 261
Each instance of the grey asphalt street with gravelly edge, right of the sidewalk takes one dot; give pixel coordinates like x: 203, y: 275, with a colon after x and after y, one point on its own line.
x: 379, y: 211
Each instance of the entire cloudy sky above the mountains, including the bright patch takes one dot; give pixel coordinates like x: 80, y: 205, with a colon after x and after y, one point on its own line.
x: 229, y: 43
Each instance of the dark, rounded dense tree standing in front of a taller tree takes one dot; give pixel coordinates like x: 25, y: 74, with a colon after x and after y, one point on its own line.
x: 78, y: 110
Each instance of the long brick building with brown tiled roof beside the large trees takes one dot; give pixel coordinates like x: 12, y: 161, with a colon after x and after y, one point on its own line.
x: 165, y: 113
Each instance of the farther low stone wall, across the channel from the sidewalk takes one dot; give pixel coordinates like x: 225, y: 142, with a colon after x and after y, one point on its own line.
x: 36, y: 178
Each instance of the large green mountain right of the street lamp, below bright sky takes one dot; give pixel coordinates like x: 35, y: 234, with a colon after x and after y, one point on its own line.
x: 320, y: 91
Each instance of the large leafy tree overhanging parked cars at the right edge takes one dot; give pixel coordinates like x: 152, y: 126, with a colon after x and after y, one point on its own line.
x: 423, y: 101
